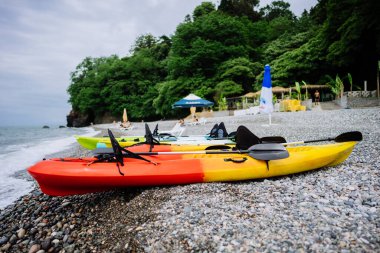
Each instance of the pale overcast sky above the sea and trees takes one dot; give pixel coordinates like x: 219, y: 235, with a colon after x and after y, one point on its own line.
x: 42, y: 41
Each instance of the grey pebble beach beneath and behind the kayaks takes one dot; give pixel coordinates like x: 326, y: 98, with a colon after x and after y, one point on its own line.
x: 334, y: 209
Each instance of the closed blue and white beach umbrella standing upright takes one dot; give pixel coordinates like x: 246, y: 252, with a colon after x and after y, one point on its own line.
x: 266, y: 97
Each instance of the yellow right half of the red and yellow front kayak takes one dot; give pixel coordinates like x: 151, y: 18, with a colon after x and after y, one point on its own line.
x: 302, y: 158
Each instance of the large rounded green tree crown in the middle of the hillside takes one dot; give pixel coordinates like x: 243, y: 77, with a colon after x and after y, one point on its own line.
x: 200, y: 46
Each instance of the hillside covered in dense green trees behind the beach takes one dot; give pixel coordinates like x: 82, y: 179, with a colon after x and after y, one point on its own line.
x: 220, y: 51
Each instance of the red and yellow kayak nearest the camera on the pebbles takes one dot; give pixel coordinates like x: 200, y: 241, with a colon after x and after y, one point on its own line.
x: 69, y: 176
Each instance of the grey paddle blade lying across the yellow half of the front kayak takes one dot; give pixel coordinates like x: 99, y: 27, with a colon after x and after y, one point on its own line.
x: 268, y: 152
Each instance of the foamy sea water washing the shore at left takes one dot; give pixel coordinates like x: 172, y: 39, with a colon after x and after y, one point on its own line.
x: 21, y: 147
